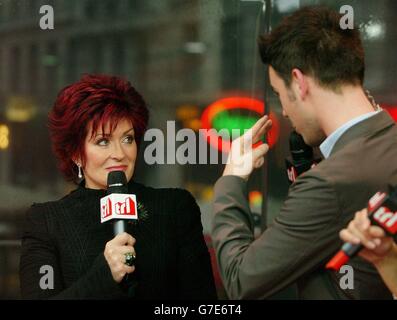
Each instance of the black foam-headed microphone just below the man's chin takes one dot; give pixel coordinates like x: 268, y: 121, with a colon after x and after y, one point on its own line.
x: 301, y: 159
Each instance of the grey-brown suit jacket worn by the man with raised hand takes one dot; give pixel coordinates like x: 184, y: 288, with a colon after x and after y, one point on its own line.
x: 305, y: 234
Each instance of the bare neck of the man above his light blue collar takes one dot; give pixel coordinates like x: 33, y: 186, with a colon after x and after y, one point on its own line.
x: 334, y: 110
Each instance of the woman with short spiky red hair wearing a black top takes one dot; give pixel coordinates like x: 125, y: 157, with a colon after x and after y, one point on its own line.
x: 96, y: 126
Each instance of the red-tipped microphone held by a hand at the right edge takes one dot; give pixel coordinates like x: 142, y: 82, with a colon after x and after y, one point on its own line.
x: 382, y: 209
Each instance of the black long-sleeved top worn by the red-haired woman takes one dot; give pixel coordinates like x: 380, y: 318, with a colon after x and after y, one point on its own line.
x: 172, y: 258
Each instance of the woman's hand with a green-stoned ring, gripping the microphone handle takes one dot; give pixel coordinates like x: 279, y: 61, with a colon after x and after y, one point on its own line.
x: 114, y: 253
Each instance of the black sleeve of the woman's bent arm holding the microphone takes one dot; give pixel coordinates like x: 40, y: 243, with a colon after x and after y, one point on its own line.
x: 39, y: 254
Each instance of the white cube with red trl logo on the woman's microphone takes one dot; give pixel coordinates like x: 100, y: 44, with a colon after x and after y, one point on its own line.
x: 118, y: 206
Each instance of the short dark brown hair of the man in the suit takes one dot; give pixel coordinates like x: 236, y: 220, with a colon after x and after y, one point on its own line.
x: 312, y: 40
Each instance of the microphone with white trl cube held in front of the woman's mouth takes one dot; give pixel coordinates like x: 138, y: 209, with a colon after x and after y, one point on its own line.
x: 118, y: 205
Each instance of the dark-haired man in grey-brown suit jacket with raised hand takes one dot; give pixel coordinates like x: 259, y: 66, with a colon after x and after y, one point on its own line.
x: 317, y: 70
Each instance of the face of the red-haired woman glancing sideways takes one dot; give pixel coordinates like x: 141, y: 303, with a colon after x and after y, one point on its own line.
x: 106, y: 153
